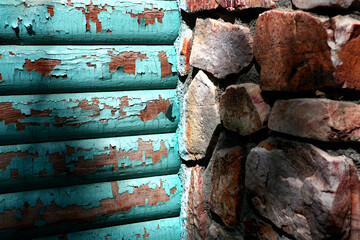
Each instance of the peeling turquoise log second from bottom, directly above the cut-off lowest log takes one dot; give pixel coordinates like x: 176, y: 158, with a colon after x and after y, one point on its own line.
x: 61, y: 210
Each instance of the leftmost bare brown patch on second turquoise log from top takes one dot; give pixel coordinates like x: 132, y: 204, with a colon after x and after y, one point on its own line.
x: 43, y: 65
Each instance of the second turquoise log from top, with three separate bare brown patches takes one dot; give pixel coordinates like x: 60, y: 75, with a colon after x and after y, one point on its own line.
x: 45, y: 69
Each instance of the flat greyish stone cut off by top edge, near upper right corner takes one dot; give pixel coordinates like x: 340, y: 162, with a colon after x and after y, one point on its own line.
x: 310, y: 4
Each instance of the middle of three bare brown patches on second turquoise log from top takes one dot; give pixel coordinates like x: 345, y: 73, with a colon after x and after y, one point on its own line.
x: 126, y: 60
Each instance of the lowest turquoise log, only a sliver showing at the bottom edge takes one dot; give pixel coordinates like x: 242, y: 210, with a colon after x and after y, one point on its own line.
x: 163, y: 229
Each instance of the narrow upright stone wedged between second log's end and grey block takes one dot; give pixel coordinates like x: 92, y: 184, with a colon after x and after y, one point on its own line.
x: 183, y: 47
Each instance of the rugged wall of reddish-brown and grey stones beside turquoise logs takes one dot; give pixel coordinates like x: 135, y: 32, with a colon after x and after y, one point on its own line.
x: 270, y: 129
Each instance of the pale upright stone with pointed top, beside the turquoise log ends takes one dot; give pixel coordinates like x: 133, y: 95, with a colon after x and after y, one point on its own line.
x: 200, y: 119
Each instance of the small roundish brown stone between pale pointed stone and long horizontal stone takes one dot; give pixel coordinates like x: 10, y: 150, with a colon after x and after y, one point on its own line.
x: 242, y: 108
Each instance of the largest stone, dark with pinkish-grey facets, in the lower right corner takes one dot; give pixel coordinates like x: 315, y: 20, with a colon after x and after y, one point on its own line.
x: 303, y: 190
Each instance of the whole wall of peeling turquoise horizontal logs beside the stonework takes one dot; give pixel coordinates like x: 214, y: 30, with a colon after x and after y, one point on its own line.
x: 88, y: 119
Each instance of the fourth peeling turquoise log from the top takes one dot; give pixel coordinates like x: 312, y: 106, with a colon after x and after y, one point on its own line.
x: 45, y: 165
